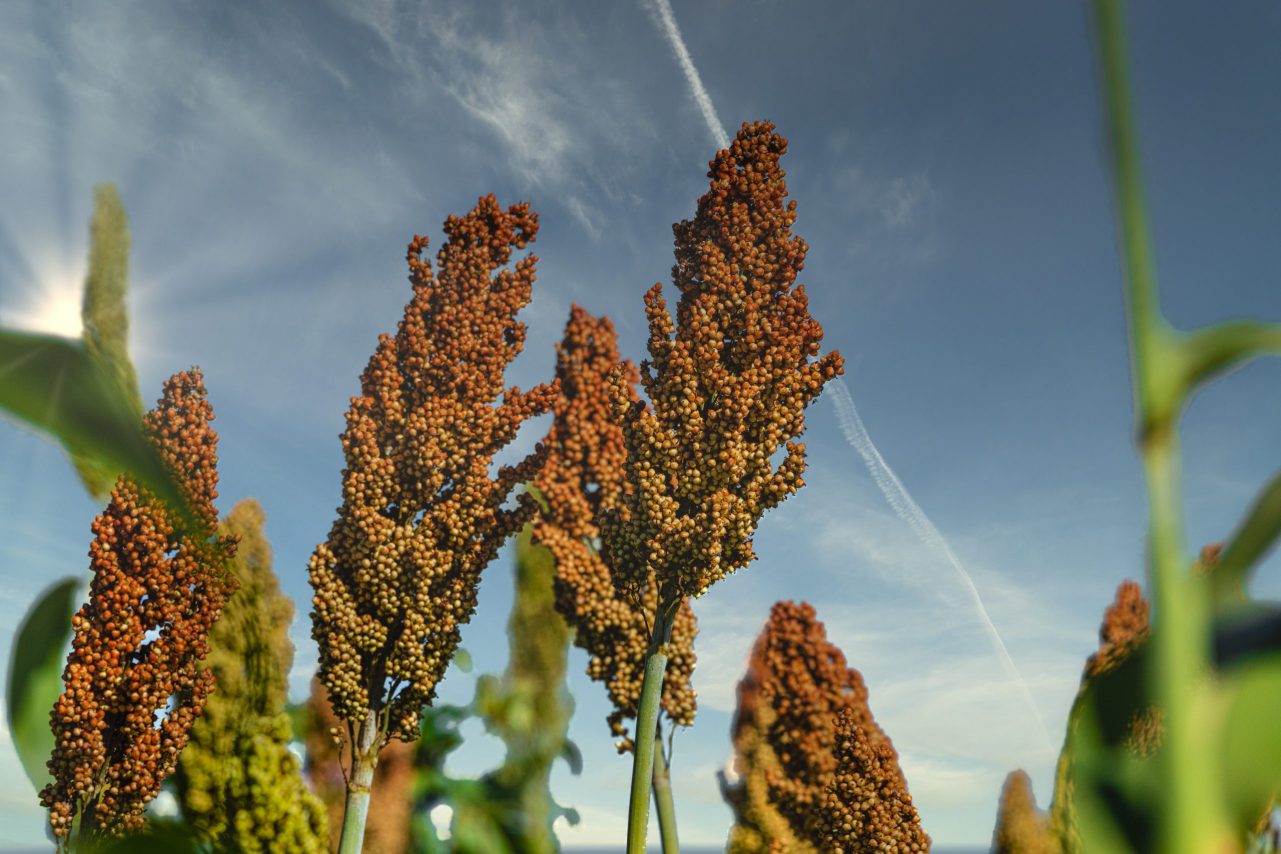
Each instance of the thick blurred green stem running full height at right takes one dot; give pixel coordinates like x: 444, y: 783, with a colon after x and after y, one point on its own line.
x: 1191, y: 814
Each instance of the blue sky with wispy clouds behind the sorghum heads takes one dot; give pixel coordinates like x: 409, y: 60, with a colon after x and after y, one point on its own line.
x: 949, y: 168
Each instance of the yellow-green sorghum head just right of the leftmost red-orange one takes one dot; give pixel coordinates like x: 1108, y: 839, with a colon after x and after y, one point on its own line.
x: 238, y: 783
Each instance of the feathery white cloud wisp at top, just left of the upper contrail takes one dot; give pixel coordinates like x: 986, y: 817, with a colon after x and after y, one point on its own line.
x: 526, y: 83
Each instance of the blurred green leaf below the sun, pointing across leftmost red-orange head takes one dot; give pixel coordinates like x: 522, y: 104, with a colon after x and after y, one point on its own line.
x: 56, y: 387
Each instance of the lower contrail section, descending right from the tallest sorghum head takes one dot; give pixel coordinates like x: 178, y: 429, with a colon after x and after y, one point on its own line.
x: 906, y: 509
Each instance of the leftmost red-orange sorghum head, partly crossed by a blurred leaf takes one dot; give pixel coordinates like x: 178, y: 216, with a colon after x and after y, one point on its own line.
x: 135, y: 679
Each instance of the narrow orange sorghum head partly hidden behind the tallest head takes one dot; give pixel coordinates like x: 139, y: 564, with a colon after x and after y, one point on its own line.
x: 582, y: 478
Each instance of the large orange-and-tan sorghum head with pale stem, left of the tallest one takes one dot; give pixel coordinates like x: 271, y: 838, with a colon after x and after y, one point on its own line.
x: 421, y: 515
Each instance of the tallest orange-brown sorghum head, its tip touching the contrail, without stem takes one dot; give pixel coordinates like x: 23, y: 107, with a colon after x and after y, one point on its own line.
x: 728, y: 382
